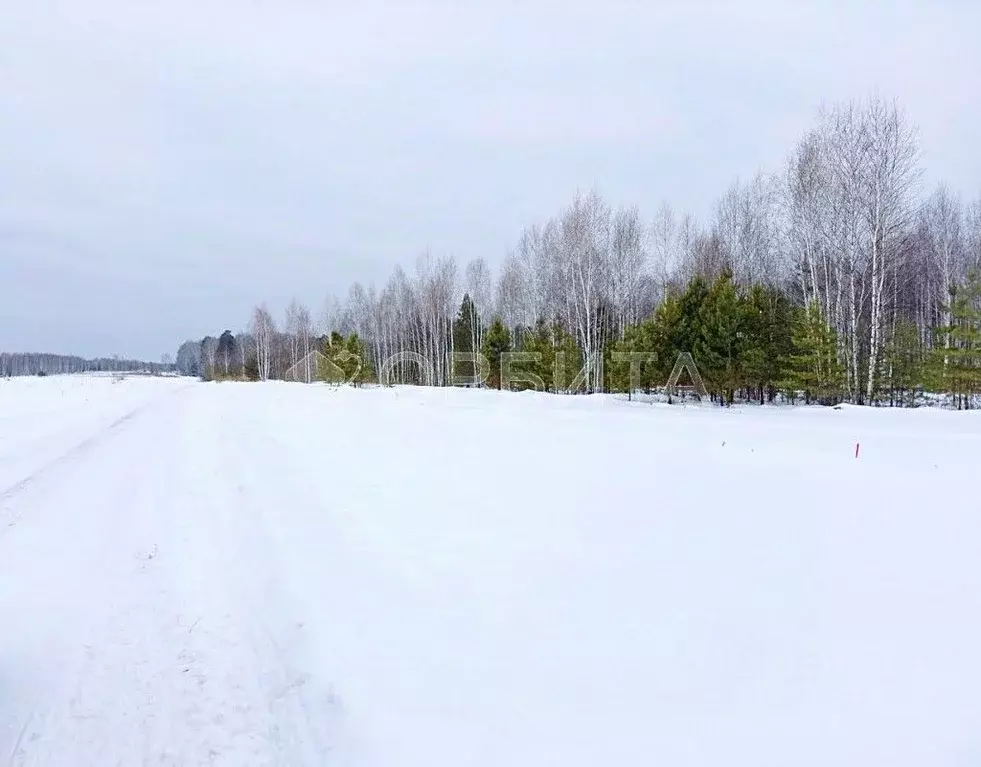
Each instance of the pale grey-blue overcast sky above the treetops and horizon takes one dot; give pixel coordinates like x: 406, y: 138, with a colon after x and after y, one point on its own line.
x: 165, y: 165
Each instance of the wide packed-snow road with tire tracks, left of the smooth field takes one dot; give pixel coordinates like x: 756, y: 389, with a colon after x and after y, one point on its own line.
x: 182, y: 649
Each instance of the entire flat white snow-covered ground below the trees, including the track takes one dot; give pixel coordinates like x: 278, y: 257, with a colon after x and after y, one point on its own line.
x: 245, y: 574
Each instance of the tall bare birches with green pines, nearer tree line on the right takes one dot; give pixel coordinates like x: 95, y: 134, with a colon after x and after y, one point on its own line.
x: 836, y: 277
